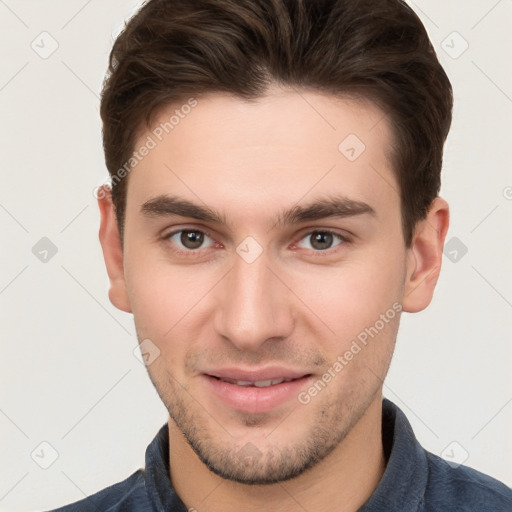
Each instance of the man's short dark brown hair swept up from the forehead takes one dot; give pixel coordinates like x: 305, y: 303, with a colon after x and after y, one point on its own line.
x: 376, y: 49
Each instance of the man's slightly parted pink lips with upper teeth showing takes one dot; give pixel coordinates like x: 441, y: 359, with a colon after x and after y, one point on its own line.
x: 256, y: 392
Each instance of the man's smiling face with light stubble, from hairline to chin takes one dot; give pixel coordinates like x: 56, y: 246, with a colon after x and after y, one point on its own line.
x: 265, y: 262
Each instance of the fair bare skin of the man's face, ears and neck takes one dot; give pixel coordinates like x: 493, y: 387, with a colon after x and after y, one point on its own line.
x: 295, y: 306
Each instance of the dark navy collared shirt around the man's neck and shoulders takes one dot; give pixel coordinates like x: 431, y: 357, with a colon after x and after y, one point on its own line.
x: 414, y: 480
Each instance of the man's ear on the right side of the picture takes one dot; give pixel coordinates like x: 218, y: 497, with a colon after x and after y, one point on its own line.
x: 424, y: 257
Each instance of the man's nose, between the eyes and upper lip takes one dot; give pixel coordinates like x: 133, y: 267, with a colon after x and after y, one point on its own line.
x: 254, y: 305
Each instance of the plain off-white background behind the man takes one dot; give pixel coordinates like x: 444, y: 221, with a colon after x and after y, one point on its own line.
x: 69, y: 376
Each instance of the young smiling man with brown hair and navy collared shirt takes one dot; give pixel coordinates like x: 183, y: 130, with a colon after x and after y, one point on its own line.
x: 274, y: 208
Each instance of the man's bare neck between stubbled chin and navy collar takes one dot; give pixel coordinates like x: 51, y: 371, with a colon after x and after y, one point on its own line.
x: 341, y: 482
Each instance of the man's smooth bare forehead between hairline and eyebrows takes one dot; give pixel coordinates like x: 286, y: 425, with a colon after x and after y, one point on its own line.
x: 260, y: 155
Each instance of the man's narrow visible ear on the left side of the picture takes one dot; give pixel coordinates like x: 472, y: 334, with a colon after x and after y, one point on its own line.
x: 112, y: 250
